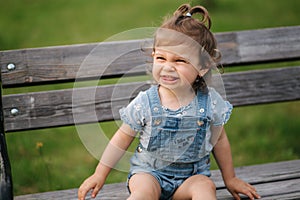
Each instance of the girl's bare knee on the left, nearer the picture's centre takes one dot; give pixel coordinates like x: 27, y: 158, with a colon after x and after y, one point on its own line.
x: 144, y: 186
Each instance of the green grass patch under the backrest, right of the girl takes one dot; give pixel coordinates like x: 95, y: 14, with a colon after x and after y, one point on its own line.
x: 265, y: 133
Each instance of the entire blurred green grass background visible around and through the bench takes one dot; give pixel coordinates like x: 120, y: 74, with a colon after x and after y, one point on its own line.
x: 52, y: 159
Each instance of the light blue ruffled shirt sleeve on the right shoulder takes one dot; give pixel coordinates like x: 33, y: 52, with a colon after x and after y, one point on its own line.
x: 221, y: 109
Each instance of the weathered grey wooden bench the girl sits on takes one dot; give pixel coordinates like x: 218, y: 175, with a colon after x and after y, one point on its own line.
x: 52, y: 65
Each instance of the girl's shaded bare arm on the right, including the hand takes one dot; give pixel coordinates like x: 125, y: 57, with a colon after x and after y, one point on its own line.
x: 222, y: 154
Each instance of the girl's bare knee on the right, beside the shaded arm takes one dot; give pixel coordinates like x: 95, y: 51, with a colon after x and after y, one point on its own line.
x: 196, y: 187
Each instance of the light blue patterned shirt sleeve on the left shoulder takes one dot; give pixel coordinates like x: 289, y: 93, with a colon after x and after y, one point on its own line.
x: 134, y: 114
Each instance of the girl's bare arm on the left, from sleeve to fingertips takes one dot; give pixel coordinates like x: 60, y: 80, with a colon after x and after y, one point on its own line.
x: 111, y: 155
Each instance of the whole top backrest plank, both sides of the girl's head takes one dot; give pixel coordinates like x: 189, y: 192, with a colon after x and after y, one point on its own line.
x: 65, y: 63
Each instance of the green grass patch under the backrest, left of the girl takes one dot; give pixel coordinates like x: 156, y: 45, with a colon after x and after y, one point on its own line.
x: 53, y: 166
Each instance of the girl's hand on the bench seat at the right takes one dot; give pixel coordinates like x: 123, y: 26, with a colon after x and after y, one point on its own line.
x: 237, y: 186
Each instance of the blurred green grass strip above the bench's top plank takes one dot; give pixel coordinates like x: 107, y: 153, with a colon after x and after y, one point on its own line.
x: 31, y: 23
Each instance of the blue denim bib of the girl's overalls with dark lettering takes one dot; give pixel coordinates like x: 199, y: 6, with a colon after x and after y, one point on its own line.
x: 177, y: 139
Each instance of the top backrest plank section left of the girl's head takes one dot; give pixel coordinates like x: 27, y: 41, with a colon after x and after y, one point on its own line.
x: 70, y: 62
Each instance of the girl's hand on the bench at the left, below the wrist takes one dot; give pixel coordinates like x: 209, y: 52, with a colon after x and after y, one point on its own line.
x: 94, y: 183
